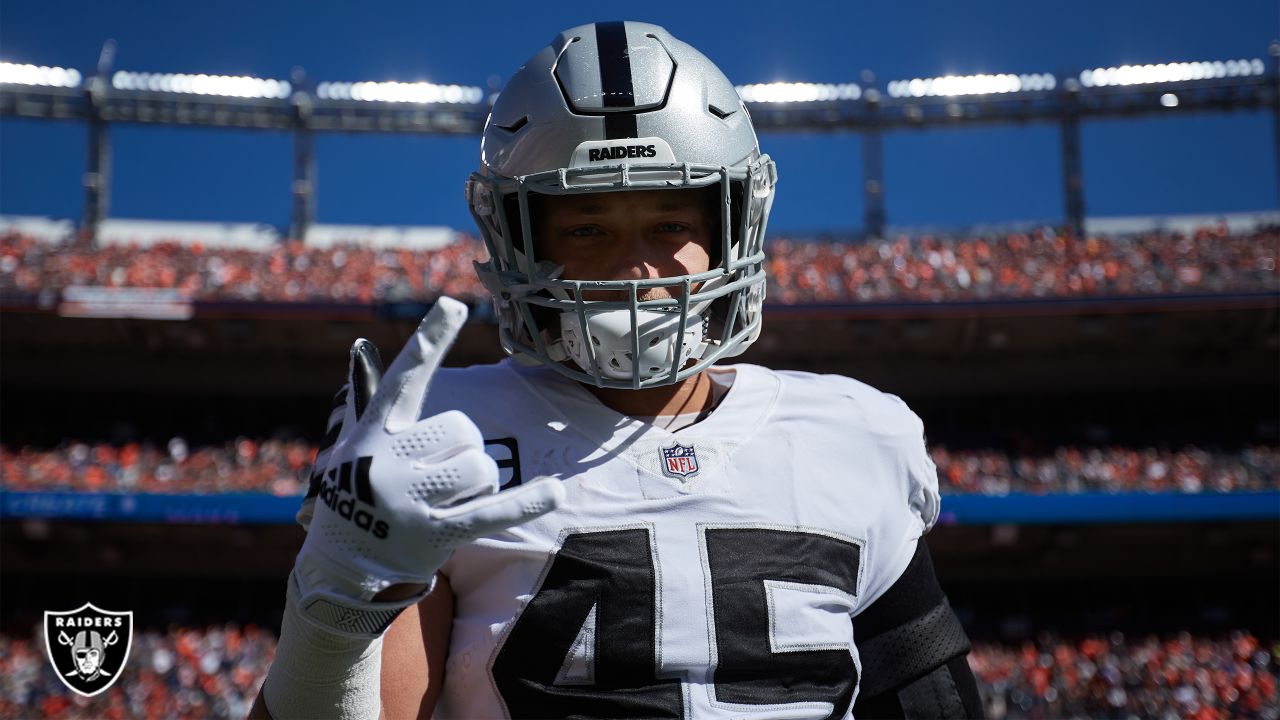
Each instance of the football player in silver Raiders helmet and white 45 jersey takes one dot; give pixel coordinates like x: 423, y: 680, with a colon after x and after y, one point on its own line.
x: 611, y: 525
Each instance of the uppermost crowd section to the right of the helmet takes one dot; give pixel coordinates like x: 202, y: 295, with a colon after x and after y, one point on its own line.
x: 1037, y: 265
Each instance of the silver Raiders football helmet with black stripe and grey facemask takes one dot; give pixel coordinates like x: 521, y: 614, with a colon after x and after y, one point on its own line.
x: 612, y: 108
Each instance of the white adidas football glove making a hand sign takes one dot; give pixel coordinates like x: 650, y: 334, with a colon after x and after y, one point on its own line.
x: 397, y: 494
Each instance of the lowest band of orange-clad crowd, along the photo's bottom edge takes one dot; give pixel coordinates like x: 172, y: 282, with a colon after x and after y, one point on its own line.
x: 216, y: 673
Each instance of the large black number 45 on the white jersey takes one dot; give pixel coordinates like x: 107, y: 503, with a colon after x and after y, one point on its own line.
x: 611, y: 575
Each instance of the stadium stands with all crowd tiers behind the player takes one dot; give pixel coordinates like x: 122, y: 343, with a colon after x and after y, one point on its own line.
x: 245, y: 452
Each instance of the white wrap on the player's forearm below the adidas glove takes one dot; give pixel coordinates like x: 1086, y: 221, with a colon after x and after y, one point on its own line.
x: 321, y: 672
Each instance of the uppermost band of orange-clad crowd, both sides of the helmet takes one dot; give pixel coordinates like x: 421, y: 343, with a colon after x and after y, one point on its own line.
x: 1043, y: 263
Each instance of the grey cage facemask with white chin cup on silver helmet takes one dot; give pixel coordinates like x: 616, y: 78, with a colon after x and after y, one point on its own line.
x: 546, y: 318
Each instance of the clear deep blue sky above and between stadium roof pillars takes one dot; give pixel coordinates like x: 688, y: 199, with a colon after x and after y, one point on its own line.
x: 1186, y: 163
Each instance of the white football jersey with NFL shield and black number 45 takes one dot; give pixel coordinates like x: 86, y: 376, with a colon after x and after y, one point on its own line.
x: 706, y: 573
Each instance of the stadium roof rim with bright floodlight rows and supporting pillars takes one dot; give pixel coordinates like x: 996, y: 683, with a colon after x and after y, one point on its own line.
x: 868, y: 108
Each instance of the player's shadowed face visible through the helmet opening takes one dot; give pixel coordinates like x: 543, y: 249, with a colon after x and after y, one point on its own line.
x: 638, y: 235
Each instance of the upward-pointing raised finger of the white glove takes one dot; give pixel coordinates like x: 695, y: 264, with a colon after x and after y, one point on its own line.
x: 403, y: 391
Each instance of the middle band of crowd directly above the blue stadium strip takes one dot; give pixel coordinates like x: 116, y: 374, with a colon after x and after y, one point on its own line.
x: 281, y: 468
